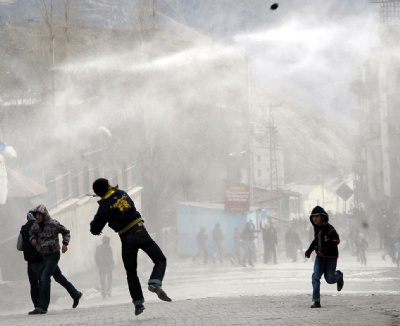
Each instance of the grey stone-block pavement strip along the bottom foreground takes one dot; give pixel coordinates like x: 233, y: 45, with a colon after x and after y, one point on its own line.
x: 354, y: 310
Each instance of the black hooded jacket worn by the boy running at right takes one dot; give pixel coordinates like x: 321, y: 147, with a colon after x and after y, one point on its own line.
x: 326, y: 239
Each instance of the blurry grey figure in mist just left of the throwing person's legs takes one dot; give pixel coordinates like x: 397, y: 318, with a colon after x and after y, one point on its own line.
x: 105, y: 264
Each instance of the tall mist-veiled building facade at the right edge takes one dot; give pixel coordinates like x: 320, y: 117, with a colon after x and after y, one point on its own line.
x: 377, y: 167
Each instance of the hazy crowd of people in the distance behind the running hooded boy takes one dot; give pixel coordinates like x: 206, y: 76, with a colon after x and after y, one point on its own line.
x: 272, y: 241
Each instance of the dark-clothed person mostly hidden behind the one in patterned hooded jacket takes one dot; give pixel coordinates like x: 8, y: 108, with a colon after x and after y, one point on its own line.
x: 31, y: 255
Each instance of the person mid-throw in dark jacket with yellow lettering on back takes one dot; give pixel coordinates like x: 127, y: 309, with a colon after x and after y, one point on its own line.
x: 117, y: 209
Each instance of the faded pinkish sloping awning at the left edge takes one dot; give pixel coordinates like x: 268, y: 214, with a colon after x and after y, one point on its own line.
x: 20, y: 186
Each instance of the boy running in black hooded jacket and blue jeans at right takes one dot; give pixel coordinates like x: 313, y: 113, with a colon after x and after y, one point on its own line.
x: 325, y: 244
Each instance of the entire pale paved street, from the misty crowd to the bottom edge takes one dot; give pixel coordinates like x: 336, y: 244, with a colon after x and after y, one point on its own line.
x: 216, y: 294
